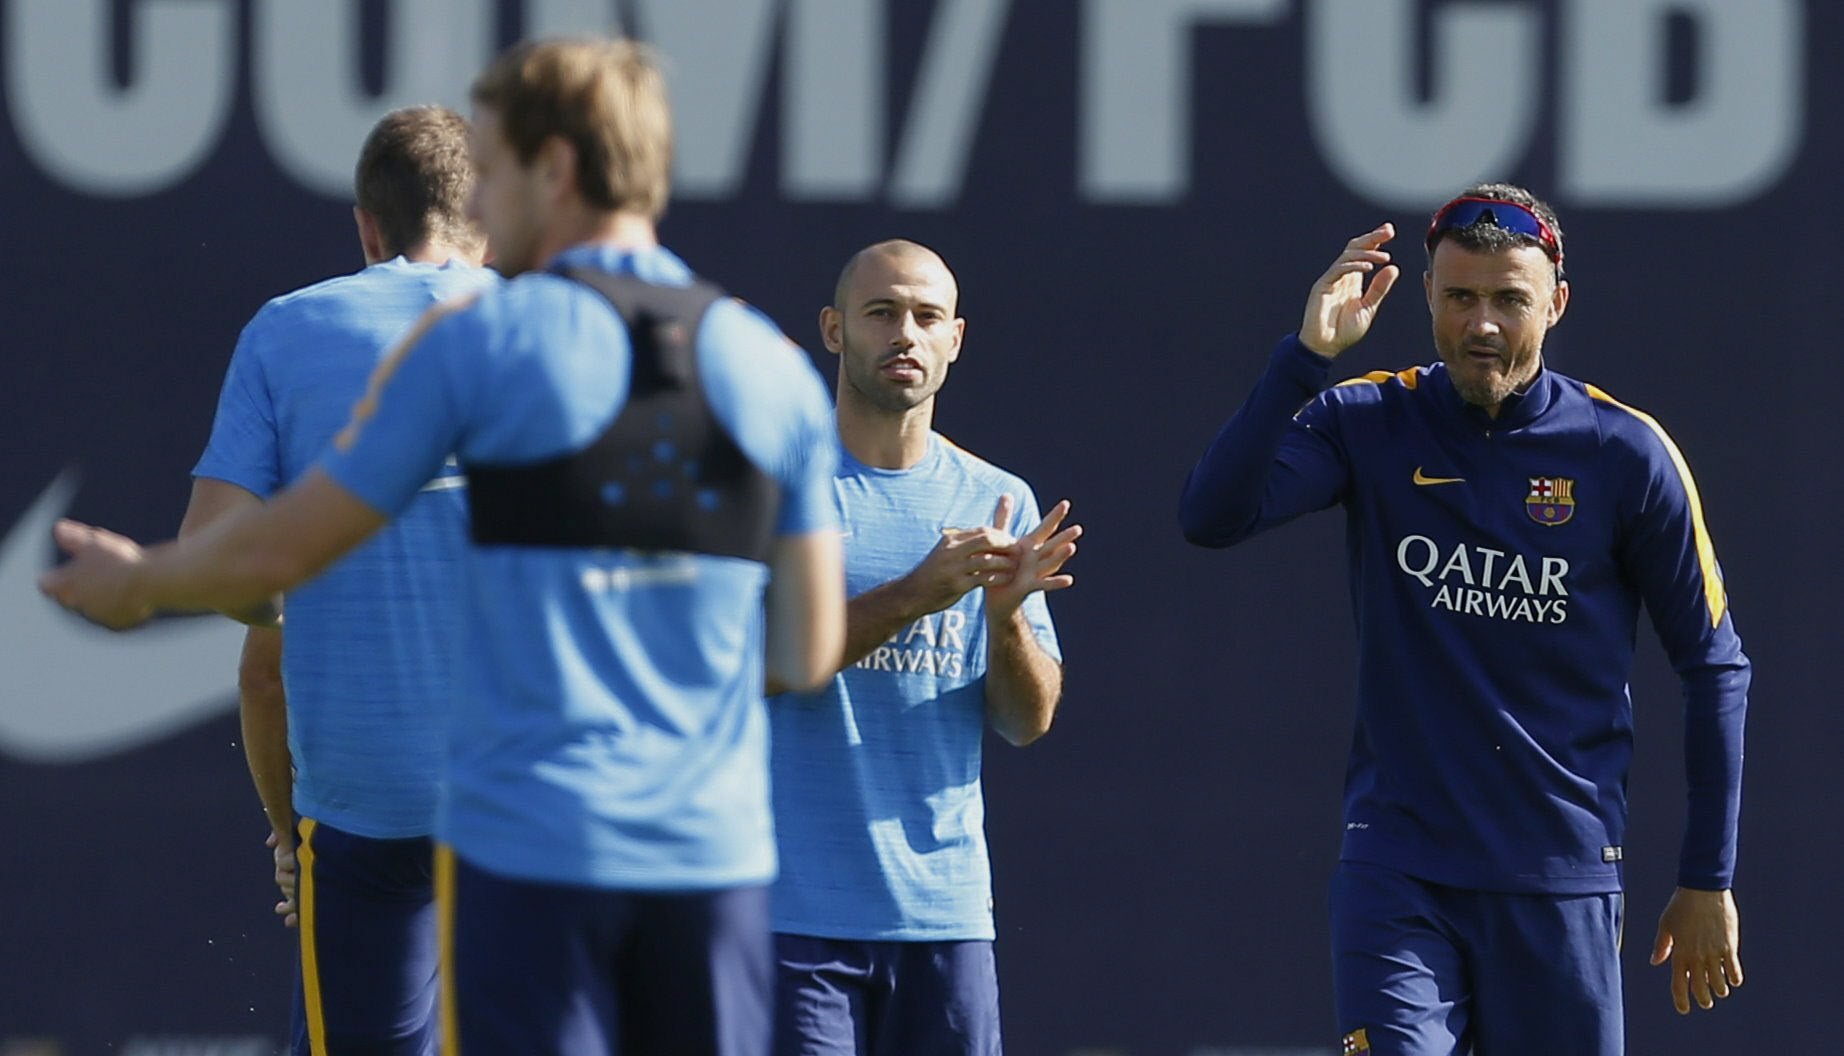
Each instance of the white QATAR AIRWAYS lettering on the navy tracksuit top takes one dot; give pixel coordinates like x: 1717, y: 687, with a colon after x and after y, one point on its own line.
x: 1491, y: 583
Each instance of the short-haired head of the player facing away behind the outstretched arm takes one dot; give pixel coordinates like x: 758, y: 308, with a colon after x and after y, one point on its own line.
x: 414, y: 178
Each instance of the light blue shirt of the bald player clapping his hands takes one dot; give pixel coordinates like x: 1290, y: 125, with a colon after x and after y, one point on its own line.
x: 877, y: 777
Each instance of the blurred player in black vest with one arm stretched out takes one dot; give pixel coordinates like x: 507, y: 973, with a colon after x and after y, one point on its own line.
x: 650, y: 480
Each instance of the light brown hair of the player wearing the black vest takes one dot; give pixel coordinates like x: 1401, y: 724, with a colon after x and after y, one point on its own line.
x: 606, y: 99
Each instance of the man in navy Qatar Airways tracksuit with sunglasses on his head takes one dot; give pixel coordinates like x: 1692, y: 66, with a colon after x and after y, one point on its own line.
x: 1506, y: 526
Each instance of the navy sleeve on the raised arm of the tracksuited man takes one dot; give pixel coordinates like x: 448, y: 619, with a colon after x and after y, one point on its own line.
x: 1279, y: 456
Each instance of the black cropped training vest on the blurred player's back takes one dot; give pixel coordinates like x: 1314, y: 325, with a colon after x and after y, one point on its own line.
x: 665, y: 476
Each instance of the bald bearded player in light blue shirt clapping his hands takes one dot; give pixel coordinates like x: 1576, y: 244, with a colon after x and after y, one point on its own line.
x: 884, y: 906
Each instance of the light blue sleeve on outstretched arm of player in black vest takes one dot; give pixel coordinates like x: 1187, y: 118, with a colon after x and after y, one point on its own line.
x: 412, y: 414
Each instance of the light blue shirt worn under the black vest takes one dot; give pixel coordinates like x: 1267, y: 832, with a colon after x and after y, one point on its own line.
x: 611, y: 729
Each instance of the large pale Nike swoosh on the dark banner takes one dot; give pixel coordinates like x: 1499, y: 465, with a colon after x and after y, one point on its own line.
x: 73, y: 692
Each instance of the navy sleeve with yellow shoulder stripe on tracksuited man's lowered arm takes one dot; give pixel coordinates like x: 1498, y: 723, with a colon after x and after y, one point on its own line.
x: 1666, y: 550
